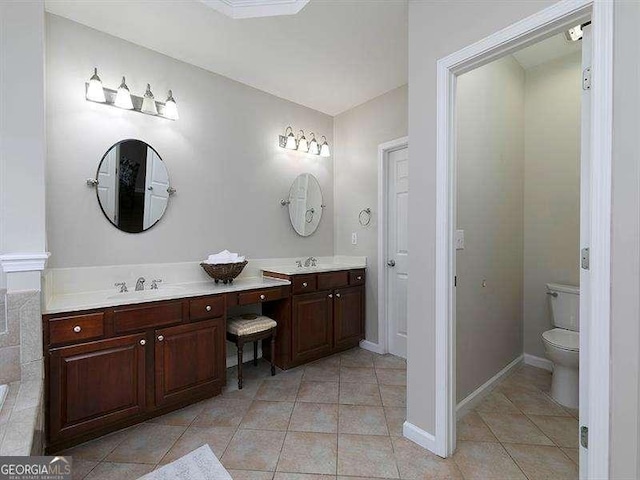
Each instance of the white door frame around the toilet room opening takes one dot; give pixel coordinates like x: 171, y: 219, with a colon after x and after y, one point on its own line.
x: 543, y: 24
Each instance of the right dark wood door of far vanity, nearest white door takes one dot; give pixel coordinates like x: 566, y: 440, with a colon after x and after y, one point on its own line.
x: 348, y: 317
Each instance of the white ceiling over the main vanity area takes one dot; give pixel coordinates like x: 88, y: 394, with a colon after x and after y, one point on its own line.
x: 330, y: 56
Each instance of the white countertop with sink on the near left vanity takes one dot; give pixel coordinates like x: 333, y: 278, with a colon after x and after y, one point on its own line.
x: 74, y: 302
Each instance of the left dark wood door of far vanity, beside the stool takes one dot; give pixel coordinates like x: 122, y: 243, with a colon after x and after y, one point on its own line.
x: 311, y: 326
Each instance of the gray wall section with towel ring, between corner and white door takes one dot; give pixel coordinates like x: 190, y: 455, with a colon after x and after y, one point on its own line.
x: 358, y: 132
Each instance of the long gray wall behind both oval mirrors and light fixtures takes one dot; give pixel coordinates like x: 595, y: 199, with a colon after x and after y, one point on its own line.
x: 222, y: 156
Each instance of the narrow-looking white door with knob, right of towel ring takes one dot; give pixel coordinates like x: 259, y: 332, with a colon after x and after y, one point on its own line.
x: 397, y: 249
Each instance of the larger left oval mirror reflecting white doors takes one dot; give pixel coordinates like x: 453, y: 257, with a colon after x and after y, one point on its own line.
x: 133, y: 186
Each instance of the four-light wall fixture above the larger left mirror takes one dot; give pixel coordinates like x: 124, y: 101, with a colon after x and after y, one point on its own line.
x: 122, y: 98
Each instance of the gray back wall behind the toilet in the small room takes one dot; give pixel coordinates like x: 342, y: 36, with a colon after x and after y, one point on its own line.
x: 552, y: 189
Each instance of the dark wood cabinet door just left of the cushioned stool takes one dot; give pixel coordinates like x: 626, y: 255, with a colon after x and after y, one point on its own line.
x: 189, y: 361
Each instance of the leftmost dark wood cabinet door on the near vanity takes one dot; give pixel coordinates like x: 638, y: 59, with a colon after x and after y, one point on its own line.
x: 95, y: 384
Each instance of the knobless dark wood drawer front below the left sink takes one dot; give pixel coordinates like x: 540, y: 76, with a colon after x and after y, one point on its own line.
x: 138, y: 317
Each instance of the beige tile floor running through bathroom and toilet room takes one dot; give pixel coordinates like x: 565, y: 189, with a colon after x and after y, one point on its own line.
x: 342, y: 417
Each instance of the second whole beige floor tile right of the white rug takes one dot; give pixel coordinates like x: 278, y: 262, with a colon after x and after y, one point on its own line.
x: 305, y: 452
